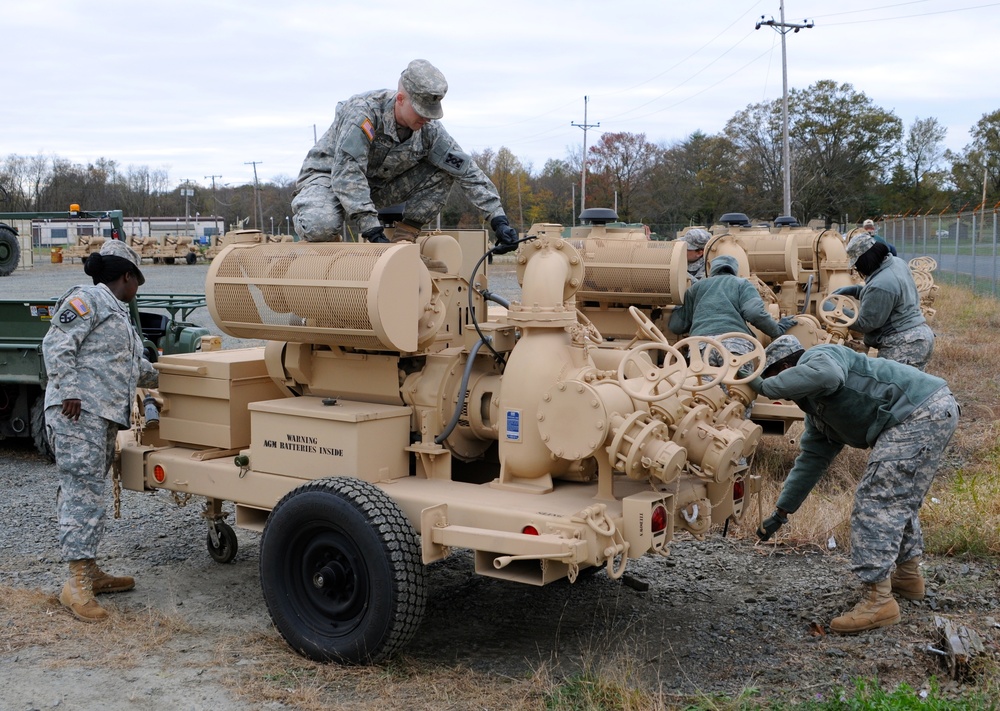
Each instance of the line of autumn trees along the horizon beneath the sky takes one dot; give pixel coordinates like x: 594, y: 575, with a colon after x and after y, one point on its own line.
x: 851, y: 159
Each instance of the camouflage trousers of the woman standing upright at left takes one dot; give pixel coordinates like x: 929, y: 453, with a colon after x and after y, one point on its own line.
x: 84, y: 451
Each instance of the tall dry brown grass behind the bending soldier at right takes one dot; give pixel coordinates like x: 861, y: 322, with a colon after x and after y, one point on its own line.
x: 962, y: 514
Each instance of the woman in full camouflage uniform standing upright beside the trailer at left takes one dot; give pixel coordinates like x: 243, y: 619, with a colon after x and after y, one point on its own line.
x: 94, y: 361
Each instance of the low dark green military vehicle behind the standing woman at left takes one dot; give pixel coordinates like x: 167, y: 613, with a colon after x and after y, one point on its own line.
x: 23, y: 325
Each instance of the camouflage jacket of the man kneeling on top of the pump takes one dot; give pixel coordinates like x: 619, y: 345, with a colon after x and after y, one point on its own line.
x: 363, y: 149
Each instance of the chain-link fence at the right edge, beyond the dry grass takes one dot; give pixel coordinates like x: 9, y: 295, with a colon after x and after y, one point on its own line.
x: 965, y: 246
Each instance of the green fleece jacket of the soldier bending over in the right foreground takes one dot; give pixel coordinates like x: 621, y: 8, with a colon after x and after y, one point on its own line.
x: 848, y: 398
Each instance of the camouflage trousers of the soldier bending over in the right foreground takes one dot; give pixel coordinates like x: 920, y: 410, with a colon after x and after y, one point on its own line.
x: 885, y: 527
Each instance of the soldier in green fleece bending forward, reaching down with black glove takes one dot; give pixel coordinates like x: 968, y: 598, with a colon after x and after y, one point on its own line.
x: 907, y: 418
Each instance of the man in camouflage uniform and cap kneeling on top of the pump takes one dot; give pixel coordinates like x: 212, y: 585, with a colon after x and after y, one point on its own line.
x: 387, y: 147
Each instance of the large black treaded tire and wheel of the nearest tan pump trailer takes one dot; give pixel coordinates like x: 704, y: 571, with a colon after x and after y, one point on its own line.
x: 341, y: 570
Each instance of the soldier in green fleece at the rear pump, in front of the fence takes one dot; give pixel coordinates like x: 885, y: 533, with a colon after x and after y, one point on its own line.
x: 890, y: 316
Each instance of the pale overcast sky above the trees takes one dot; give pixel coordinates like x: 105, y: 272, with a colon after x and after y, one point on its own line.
x: 201, y: 88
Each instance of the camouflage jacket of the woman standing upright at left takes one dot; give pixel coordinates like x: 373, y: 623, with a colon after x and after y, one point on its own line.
x: 93, y: 354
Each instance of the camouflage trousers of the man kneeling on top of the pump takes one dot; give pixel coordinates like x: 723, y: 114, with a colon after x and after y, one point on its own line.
x: 319, y: 216
